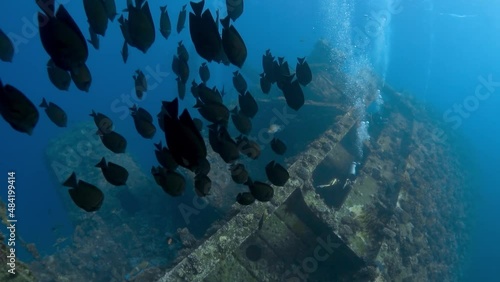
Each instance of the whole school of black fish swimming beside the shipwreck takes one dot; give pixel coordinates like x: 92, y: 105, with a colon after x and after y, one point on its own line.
x: 185, y: 147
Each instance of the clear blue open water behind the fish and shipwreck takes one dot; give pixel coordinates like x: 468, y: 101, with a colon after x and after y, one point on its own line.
x: 437, y: 51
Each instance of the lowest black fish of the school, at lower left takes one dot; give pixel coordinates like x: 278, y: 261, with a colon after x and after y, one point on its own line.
x: 85, y: 195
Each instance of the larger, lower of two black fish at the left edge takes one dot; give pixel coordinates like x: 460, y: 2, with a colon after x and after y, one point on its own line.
x: 17, y: 109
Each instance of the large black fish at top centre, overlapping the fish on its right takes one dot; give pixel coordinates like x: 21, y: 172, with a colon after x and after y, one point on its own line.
x: 204, y: 33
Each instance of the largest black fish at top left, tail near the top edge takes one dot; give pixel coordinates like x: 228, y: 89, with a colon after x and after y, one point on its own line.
x: 61, y: 38
